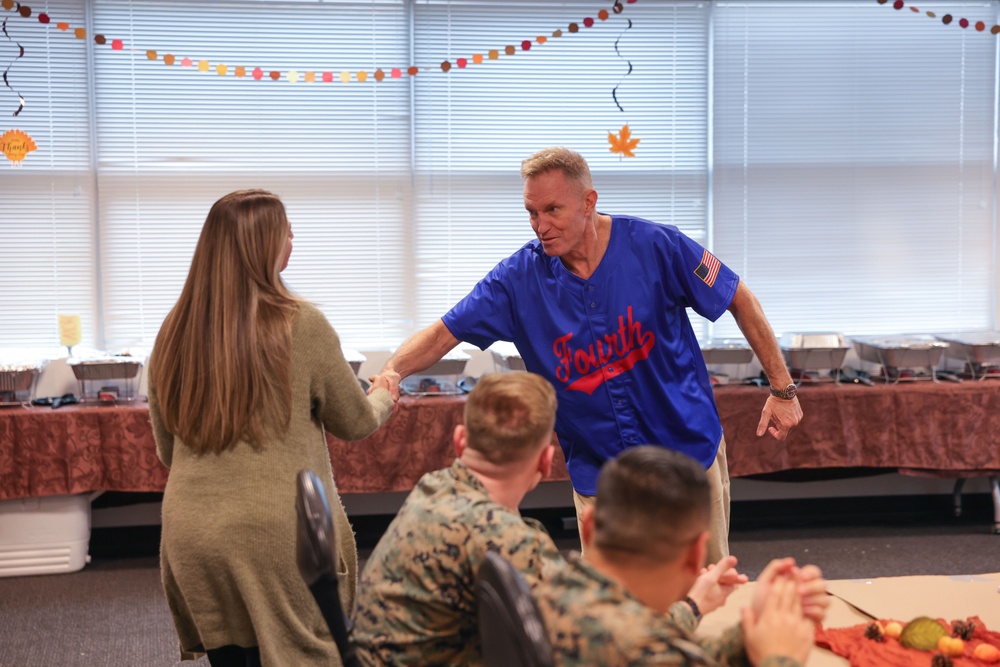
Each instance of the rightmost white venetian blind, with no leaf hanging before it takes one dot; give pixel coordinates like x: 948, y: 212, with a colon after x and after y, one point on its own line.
x: 854, y: 181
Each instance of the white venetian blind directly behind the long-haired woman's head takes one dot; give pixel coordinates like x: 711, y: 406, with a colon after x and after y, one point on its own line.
x: 173, y: 139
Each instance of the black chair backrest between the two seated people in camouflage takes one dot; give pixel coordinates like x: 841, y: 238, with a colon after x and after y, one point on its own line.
x: 510, y: 627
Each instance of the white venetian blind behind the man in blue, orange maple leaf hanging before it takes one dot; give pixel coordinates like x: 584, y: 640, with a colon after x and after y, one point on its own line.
x: 474, y: 126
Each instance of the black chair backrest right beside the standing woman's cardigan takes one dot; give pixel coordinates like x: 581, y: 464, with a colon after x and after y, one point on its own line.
x: 316, y: 553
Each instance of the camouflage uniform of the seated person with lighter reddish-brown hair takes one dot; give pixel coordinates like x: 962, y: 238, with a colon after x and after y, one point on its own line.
x: 416, y: 596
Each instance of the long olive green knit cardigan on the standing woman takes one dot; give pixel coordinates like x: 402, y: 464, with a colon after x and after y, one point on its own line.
x: 228, y: 545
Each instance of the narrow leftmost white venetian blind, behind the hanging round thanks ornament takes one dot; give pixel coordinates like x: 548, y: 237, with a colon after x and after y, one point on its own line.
x: 46, y: 216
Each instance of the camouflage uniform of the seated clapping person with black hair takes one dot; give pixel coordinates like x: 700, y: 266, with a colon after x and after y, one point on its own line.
x: 593, y: 620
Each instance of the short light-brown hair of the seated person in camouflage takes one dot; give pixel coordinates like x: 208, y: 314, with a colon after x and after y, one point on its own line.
x: 509, y: 415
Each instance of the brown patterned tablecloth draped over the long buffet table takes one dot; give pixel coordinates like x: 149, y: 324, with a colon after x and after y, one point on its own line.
x: 935, y: 428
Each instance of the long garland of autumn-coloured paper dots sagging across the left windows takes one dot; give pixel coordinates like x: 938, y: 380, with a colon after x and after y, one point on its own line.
x: 294, y: 75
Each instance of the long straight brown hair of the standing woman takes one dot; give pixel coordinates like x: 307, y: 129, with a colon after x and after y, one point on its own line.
x: 220, y: 366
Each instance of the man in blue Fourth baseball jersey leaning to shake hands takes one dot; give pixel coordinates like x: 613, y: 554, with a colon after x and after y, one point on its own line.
x: 597, y: 304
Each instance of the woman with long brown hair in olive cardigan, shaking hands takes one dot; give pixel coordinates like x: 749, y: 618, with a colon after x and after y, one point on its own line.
x: 243, y: 381
